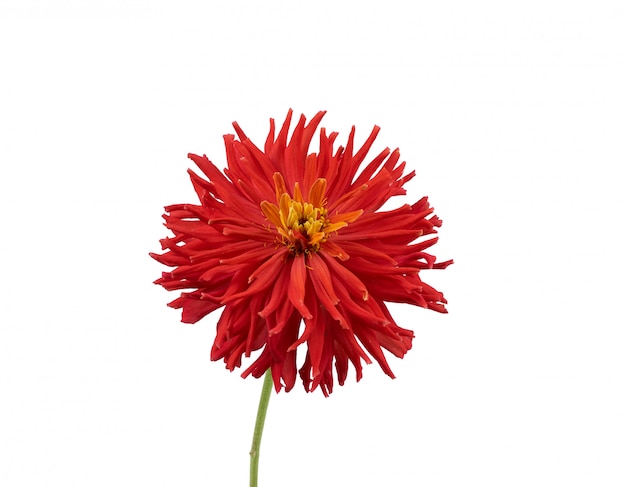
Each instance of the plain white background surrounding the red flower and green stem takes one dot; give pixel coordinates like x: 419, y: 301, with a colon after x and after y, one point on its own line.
x: 513, y: 116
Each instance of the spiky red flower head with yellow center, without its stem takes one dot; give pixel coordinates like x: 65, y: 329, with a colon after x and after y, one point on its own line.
x: 294, y: 248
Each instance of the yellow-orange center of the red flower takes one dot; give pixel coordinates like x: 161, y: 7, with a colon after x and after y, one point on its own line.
x: 303, y: 225
